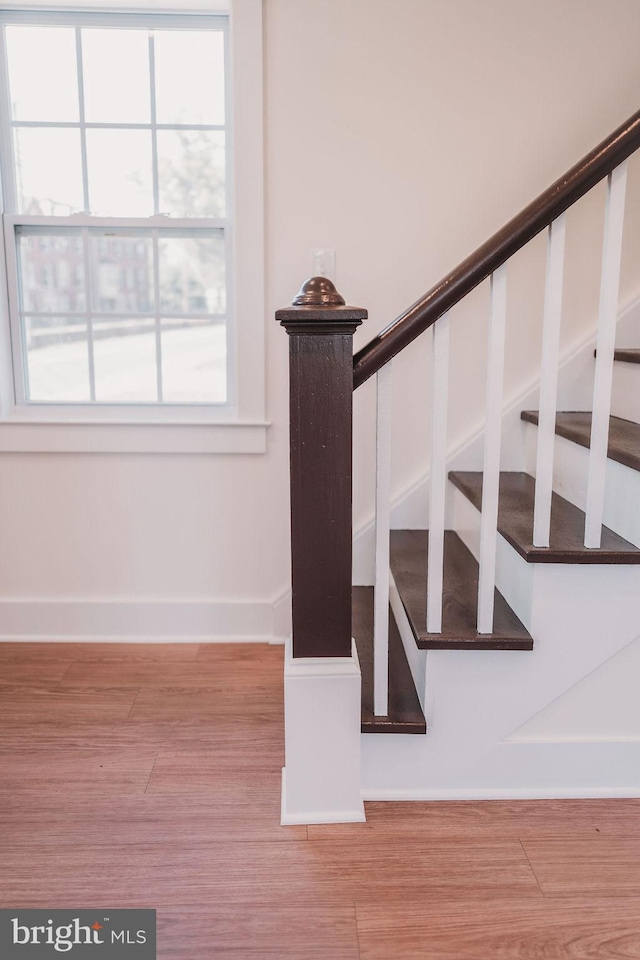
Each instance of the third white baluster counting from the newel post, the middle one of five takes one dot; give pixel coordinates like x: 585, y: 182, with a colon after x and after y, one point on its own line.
x: 492, y: 442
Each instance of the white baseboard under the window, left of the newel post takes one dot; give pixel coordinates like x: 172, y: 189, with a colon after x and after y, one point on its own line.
x: 126, y: 621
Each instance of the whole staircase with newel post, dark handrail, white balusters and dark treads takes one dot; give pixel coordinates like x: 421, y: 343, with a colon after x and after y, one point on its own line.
x: 522, y: 599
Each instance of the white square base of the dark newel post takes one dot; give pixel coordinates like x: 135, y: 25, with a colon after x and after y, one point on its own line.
x: 321, y: 776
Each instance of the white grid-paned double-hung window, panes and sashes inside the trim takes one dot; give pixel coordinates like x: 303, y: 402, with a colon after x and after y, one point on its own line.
x: 117, y: 194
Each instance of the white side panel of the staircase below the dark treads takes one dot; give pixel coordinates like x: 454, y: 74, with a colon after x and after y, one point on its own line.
x: 580, y: 617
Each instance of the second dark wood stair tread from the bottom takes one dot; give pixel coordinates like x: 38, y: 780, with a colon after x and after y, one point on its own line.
x: 460, y: 597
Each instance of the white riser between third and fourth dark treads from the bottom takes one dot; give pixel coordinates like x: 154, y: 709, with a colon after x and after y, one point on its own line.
x: 622, y: 484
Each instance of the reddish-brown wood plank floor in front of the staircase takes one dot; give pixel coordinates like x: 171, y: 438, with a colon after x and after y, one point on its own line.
x: 149, y: 775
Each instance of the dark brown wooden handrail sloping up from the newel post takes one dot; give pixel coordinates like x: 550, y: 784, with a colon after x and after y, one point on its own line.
x: 498, y: 249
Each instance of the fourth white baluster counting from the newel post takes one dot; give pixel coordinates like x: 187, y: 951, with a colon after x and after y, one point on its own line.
x: 549, y: 381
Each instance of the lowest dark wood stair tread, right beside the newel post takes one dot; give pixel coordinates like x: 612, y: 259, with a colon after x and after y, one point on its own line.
x: 405, y: 712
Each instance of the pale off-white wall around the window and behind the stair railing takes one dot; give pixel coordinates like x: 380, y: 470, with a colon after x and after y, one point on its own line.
x: 401, y: 135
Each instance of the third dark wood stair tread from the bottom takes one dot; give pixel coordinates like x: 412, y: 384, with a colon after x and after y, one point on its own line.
x: 515, y: 523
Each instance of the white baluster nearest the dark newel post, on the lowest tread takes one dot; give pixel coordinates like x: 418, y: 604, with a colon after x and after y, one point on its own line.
x: 383, y: 499
